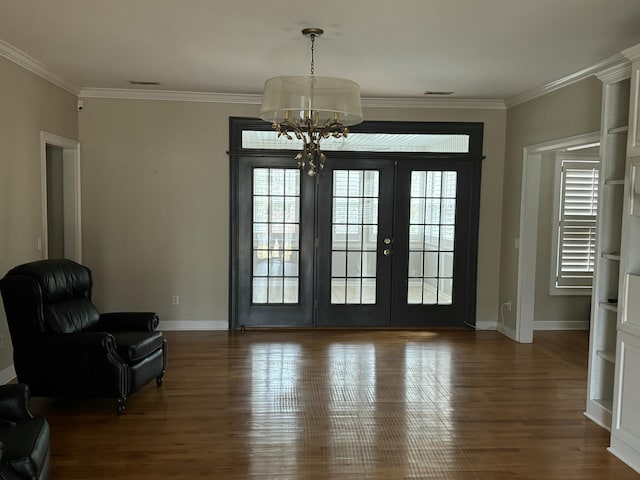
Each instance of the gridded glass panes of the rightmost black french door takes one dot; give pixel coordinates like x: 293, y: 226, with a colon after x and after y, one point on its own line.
x: 432, y: 229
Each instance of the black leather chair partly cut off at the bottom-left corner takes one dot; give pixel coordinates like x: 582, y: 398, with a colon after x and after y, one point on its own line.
x: 24, y: 439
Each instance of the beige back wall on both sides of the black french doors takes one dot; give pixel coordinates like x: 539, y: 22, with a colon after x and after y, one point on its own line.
x: 155, y: 193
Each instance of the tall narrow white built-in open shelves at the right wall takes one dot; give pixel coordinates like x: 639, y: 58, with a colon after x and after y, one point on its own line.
x: 605, y: 291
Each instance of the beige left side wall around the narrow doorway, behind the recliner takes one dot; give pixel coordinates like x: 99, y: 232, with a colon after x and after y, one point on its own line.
x: 28, y: 105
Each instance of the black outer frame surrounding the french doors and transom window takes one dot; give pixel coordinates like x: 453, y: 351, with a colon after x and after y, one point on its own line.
x: 475, y: 131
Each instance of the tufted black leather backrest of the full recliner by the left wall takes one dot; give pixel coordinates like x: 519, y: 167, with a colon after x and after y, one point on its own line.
x: 64, y: 290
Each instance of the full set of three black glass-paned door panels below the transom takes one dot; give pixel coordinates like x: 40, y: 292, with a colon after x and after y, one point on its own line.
x: 377, y: 240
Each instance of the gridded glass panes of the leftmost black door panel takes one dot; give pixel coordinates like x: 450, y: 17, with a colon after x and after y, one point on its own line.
x: 276, y: 236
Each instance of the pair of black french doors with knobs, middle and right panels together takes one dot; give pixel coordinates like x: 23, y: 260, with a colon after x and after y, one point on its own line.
x: 395, y: 243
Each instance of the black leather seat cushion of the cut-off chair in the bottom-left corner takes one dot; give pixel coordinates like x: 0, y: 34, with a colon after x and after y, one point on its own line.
x: 26, y: 447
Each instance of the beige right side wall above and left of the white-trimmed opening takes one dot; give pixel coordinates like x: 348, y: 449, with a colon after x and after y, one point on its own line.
x: 570, y: 111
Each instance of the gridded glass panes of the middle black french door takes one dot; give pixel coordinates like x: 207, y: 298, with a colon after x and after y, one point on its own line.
x: 354, y: 236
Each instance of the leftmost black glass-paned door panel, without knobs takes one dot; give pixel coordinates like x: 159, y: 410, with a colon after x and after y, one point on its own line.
x: 273, y: 237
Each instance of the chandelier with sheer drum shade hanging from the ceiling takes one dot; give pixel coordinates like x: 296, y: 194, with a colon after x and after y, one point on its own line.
x: 311, y: 108
